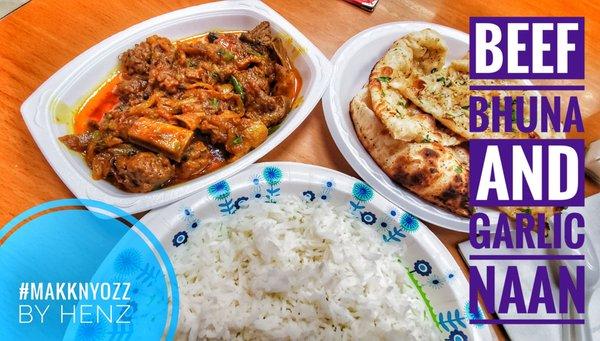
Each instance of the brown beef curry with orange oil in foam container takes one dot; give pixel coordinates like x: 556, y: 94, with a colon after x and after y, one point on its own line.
x: 178, y: 110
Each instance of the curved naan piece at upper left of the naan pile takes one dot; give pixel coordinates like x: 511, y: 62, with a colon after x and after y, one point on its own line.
x: 416, y: 53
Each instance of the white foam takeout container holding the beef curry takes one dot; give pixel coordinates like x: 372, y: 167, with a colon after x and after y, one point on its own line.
x: 82, y: 75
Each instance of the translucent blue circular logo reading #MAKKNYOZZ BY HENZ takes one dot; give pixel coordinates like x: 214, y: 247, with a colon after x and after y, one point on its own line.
x: 82, y: 269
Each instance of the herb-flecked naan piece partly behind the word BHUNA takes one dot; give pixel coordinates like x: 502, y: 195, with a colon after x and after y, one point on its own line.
x: 445, y: 95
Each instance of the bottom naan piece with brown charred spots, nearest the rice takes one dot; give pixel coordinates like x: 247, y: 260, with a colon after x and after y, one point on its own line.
x: 436, y: 173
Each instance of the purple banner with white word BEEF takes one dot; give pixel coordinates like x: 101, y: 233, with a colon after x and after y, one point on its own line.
x: 526, y: 48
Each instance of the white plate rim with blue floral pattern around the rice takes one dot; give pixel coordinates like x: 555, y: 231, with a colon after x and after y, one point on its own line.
x: 429, y: 266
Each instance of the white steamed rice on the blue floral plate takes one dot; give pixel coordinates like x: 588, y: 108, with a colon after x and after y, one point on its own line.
x: 295, y: 270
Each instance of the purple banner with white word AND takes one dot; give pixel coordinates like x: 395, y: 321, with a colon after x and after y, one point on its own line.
x: 526, y: 173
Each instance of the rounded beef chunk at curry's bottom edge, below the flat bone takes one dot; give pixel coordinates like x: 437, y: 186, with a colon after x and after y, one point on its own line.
x: 142, y: 172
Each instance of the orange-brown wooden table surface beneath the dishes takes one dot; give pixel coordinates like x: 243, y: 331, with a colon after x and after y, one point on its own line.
x: 40, y: 37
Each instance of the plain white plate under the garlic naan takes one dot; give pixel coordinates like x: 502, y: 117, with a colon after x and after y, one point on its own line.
x: 352, y: 65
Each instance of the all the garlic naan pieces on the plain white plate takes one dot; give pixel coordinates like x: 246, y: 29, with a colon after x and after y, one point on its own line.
x: 414, y: 114
